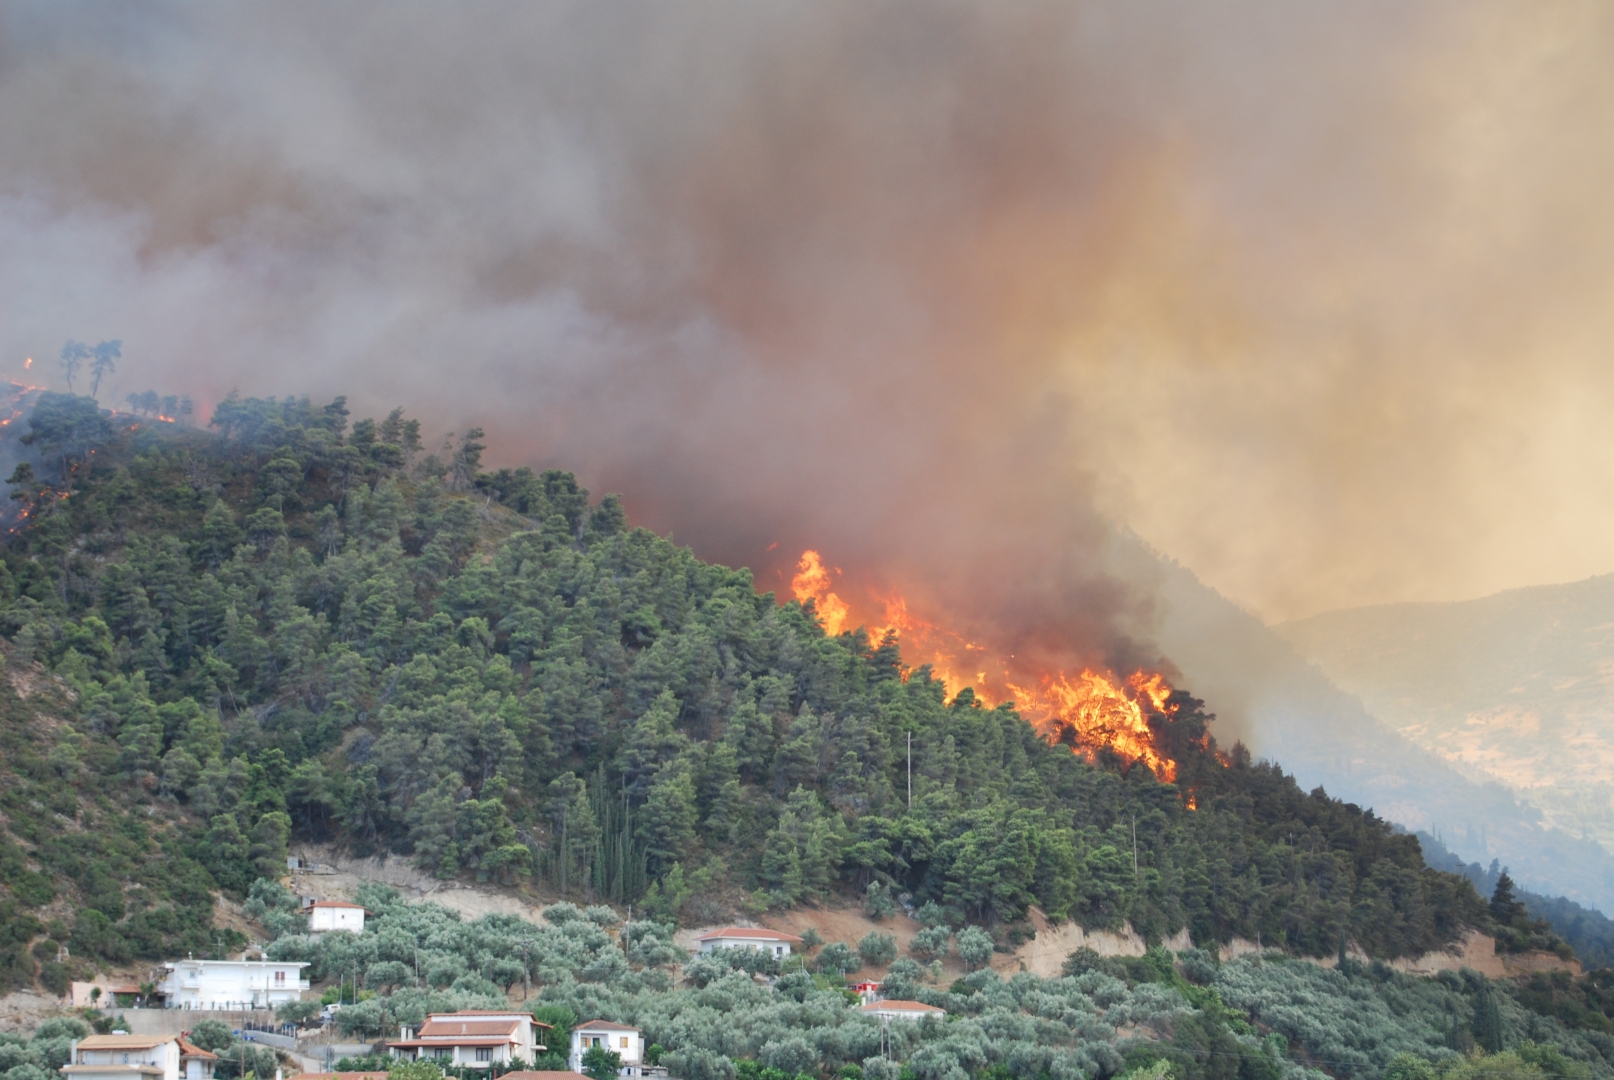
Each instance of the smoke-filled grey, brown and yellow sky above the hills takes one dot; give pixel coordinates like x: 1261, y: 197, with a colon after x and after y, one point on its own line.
x: 1315, y: 298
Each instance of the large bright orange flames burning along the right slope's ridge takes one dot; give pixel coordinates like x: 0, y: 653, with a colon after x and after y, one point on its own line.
x: 1087, y: 711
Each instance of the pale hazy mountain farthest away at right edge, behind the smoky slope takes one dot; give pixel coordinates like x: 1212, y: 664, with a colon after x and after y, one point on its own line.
x: 1516, y: 689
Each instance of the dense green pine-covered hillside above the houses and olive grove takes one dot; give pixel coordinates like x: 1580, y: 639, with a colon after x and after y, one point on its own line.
x: 290, y: 626
